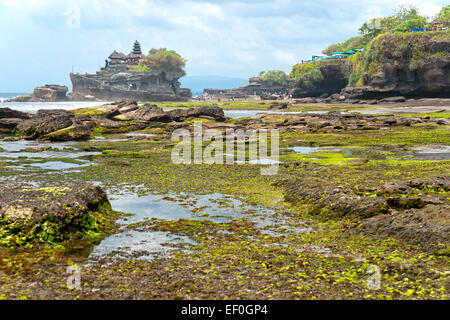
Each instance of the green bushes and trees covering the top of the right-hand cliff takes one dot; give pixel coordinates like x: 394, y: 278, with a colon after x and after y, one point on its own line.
x: 386, y: 41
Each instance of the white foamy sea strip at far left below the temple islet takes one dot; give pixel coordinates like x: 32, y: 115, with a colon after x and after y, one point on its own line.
x: 33, y: 107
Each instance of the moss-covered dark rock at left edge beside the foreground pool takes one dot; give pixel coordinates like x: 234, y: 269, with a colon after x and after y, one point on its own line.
x: 53, y: 214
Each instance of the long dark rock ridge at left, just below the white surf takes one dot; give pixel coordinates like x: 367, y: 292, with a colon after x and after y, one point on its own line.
x: 62, y: 125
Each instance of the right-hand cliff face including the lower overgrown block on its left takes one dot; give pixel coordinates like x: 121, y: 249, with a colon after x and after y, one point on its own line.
x: 412, y: 65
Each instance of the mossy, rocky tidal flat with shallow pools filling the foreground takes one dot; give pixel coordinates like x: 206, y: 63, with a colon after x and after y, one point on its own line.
x: 352, y: 191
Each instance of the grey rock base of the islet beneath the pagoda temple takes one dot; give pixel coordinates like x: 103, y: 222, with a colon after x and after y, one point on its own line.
x: 150, y: 85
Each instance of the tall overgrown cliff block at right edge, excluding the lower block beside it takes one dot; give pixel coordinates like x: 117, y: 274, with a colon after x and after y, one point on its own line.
x: 407, y: 64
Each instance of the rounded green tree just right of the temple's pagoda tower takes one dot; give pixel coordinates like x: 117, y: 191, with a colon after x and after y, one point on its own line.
x: 168, y: 60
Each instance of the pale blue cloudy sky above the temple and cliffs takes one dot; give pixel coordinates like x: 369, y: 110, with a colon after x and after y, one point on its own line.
x: 42, y: 41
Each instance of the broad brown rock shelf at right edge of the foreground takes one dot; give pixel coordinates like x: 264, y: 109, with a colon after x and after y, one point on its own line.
x: 401, y: 209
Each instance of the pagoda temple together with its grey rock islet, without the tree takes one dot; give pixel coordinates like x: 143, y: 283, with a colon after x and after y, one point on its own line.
x: 120, y: 79
